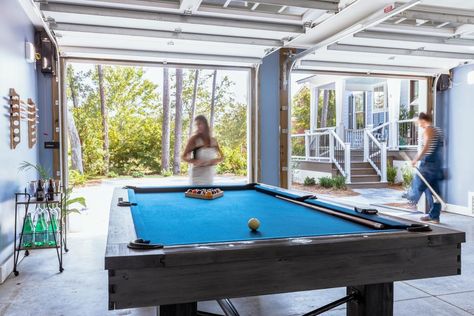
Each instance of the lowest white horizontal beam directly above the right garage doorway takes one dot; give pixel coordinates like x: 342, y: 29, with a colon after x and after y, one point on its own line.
x: 316, y: 64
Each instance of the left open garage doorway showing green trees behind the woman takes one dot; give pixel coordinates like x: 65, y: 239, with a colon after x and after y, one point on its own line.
x: 129, y: 123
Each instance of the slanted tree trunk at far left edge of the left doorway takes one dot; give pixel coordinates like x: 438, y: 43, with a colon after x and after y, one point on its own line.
x: 74, y: 140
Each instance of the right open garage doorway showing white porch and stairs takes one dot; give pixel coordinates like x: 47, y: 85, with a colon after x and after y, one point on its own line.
x: 348, y: 130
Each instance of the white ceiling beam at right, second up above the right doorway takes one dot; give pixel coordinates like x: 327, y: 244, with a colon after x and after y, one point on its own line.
x: 400, y: 51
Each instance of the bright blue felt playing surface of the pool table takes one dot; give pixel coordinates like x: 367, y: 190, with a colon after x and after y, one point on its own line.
x: 173, y: 219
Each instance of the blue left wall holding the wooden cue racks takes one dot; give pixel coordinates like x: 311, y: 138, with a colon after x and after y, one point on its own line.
x: 15, y: 30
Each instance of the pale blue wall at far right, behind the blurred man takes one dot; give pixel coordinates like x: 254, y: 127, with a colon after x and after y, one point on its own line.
x: 455, y: 113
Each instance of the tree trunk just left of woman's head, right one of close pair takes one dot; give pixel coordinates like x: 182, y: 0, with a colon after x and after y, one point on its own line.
x: 178, y: 126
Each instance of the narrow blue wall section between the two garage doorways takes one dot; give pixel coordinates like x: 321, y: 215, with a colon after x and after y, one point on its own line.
x: 269, y: 108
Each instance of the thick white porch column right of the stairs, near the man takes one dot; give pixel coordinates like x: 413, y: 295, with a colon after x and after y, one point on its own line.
x: 393, y: 91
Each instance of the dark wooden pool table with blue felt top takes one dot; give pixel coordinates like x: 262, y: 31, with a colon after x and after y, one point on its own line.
x: 207, y: 251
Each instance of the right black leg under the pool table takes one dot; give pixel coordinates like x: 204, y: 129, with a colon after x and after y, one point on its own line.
x: 375, y: 299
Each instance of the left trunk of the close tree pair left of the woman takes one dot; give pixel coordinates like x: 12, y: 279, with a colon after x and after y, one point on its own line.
x: 165, y: 130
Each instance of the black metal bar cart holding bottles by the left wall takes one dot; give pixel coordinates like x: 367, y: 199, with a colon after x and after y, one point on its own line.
x: 27, y: 201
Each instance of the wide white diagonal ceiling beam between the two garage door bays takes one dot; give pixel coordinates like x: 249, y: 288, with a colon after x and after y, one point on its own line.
x: 359, y: 16
